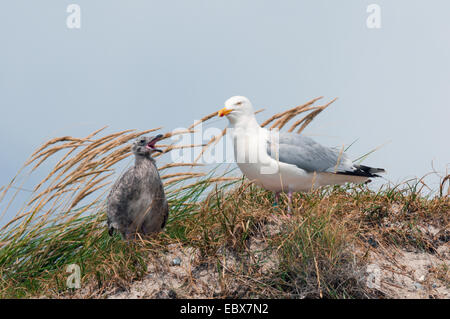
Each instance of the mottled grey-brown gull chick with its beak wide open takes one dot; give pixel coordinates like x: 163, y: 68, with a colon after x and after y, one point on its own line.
x: 137, y: 202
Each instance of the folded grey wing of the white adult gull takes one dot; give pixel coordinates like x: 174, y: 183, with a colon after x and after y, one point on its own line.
x: 307, y: 154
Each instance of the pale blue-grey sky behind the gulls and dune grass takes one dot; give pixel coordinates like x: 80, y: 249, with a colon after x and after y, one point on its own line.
x: 142, y: 64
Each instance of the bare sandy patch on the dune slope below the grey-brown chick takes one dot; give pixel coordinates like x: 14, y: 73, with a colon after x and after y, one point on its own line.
x: 180, y: 273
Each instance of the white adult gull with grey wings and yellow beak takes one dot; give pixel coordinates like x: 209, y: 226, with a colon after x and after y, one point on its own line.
x: 286, y: 162
